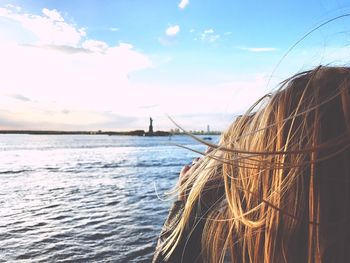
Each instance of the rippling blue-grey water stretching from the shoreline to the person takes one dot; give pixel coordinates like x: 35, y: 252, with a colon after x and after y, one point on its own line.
x: 82, y: 198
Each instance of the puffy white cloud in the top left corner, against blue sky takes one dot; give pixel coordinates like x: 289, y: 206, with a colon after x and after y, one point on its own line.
x: 48, y: 29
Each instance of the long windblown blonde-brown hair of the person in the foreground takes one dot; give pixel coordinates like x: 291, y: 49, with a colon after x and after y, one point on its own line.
x: 278, y: 183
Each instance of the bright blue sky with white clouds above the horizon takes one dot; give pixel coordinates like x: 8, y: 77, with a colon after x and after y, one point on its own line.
x: 112, y: 64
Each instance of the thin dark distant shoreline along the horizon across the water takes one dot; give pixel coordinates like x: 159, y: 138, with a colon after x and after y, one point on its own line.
x: 110, y: 133
